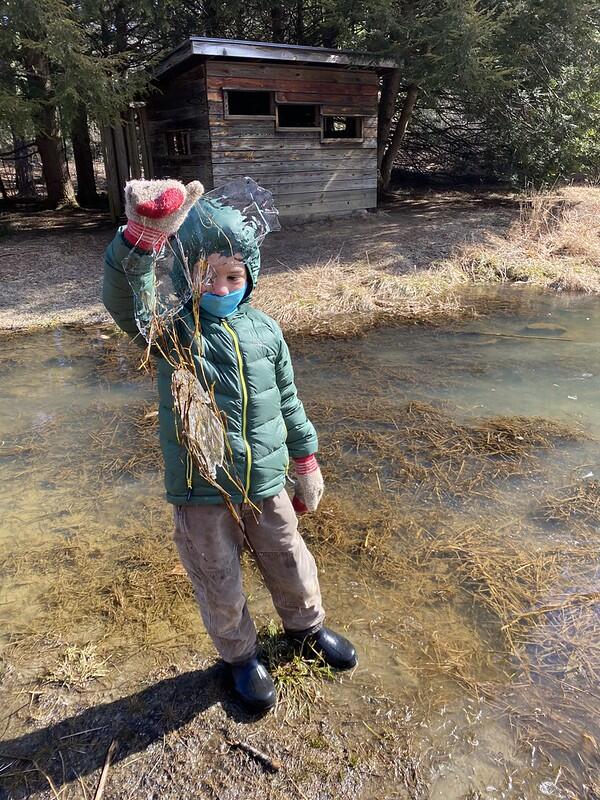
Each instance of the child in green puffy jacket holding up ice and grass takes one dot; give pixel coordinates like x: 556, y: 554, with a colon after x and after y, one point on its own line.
x: 242, y: 355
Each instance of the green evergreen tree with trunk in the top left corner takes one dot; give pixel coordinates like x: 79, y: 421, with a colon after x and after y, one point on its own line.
x: 50, y: 72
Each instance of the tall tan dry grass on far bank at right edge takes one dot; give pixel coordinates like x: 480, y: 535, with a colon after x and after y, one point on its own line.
x: 554, y: 244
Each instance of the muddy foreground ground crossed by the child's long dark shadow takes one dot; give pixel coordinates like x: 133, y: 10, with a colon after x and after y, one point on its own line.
x: 181, y: 736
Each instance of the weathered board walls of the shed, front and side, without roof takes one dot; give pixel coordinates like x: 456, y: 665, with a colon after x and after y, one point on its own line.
x: 308, y: 176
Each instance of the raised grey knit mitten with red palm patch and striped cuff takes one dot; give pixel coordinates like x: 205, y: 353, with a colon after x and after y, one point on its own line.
x: 156, y: 209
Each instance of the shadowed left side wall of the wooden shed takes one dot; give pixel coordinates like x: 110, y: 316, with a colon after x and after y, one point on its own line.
x: 181, y: 105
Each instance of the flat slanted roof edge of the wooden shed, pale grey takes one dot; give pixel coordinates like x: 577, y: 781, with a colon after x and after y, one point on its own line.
x: 234, y: 48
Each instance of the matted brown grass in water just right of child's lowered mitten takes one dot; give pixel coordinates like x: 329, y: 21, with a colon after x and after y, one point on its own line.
x: 424, y: 449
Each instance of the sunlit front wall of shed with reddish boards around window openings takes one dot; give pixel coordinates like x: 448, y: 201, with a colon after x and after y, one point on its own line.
x: 308, y: 177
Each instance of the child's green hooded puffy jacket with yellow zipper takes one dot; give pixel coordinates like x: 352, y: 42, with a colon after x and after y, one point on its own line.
x: 244, y: 357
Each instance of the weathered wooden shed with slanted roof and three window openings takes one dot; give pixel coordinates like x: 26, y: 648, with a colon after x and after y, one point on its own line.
x: 301, y: 121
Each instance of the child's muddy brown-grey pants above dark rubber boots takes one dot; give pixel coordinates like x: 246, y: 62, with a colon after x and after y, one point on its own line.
x: 210, y: 542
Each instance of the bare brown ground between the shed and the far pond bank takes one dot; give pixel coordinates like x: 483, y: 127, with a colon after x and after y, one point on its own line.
x: 51, y: 262
